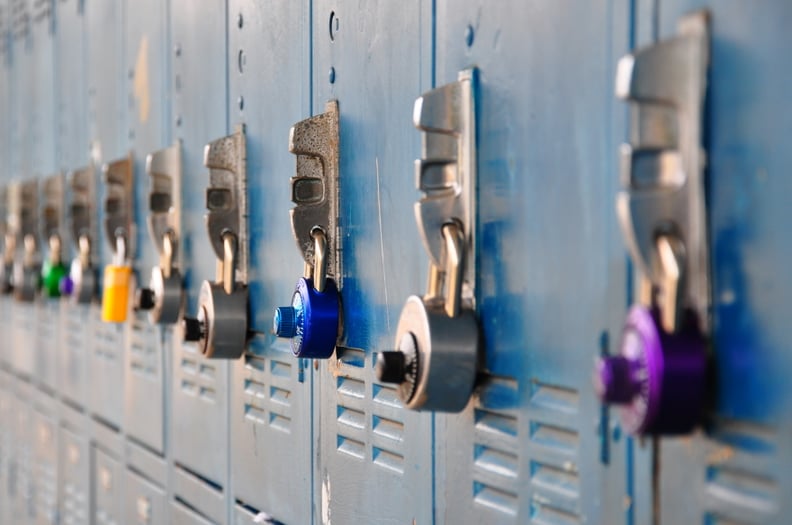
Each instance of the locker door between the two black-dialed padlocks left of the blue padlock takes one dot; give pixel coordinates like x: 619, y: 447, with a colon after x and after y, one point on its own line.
x: 199, y: 114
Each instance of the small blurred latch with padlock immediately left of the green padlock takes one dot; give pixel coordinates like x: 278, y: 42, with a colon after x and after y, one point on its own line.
x: 27, y: 271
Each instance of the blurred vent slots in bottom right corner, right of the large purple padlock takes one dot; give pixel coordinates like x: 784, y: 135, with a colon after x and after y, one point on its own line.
x: 739, y: 486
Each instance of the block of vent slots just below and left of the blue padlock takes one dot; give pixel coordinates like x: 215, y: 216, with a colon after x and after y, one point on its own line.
x: 267, y: 392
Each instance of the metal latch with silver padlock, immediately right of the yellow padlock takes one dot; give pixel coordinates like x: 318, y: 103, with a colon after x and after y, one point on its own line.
x: 164, y: 296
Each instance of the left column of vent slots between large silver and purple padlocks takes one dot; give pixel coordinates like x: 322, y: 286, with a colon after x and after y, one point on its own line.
x: 496, y: 446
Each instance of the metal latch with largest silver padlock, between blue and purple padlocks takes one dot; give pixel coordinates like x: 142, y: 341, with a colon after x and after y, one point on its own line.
x: 438, y: 337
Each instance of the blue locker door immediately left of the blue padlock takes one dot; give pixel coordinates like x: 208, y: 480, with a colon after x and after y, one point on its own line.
x: 271, y: 447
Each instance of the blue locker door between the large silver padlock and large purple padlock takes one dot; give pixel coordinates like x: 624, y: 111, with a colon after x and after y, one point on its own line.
x: 552, y: 286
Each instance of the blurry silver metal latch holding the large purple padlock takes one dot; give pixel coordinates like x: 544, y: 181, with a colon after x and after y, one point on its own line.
x: 662, y: 211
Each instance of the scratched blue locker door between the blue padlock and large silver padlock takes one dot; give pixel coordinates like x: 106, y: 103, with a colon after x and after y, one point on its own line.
x: 375, y: 62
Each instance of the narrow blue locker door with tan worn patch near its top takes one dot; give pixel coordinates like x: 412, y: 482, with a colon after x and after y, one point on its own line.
x: 147, y: 59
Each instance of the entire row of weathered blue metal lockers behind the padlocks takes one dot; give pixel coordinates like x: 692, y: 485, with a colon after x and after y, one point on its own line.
x: 126, y: 422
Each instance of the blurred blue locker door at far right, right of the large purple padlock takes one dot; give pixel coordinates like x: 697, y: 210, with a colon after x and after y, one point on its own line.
x: 739, y: 470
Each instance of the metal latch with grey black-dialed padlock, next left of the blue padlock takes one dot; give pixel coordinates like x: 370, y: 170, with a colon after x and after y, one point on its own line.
x: 221, y: 326
